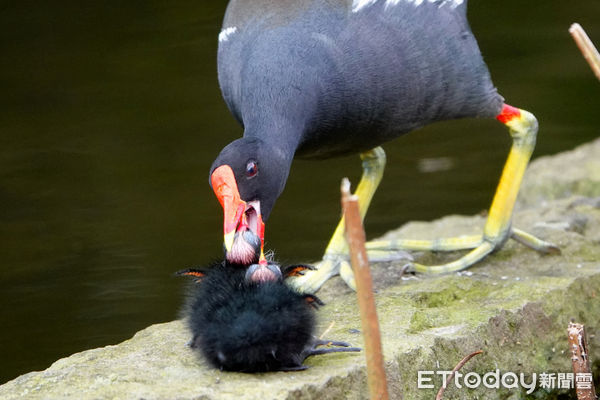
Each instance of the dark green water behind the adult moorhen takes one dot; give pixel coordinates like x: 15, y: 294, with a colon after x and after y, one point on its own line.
x: 110, y: 116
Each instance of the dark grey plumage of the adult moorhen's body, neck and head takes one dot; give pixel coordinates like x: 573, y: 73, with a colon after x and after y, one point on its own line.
x: 313, y: 78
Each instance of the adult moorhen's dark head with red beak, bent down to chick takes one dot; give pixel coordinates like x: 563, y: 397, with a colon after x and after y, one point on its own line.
x: 247, y: 177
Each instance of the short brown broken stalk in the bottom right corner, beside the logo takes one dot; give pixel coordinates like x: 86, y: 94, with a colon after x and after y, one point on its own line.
x: 581, y: 362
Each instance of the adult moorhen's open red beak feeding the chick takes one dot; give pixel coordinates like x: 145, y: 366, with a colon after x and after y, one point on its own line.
x: 235, y: 216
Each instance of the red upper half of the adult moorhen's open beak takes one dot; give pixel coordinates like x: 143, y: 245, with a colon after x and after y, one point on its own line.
x: 226, y: 190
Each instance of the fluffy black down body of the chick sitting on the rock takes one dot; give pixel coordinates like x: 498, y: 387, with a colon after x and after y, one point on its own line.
x: 242, y: 326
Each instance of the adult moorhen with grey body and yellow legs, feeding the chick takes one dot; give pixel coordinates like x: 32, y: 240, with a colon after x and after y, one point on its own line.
x: 322, y: 78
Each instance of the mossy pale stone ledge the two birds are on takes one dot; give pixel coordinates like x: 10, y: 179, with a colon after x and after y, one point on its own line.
x: 515, y: 306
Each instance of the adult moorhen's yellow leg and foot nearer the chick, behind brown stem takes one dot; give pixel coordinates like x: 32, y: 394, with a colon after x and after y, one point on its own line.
x: 336, y: 259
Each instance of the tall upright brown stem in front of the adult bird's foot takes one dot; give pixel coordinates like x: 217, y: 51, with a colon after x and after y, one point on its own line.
x: 355, y: 235
